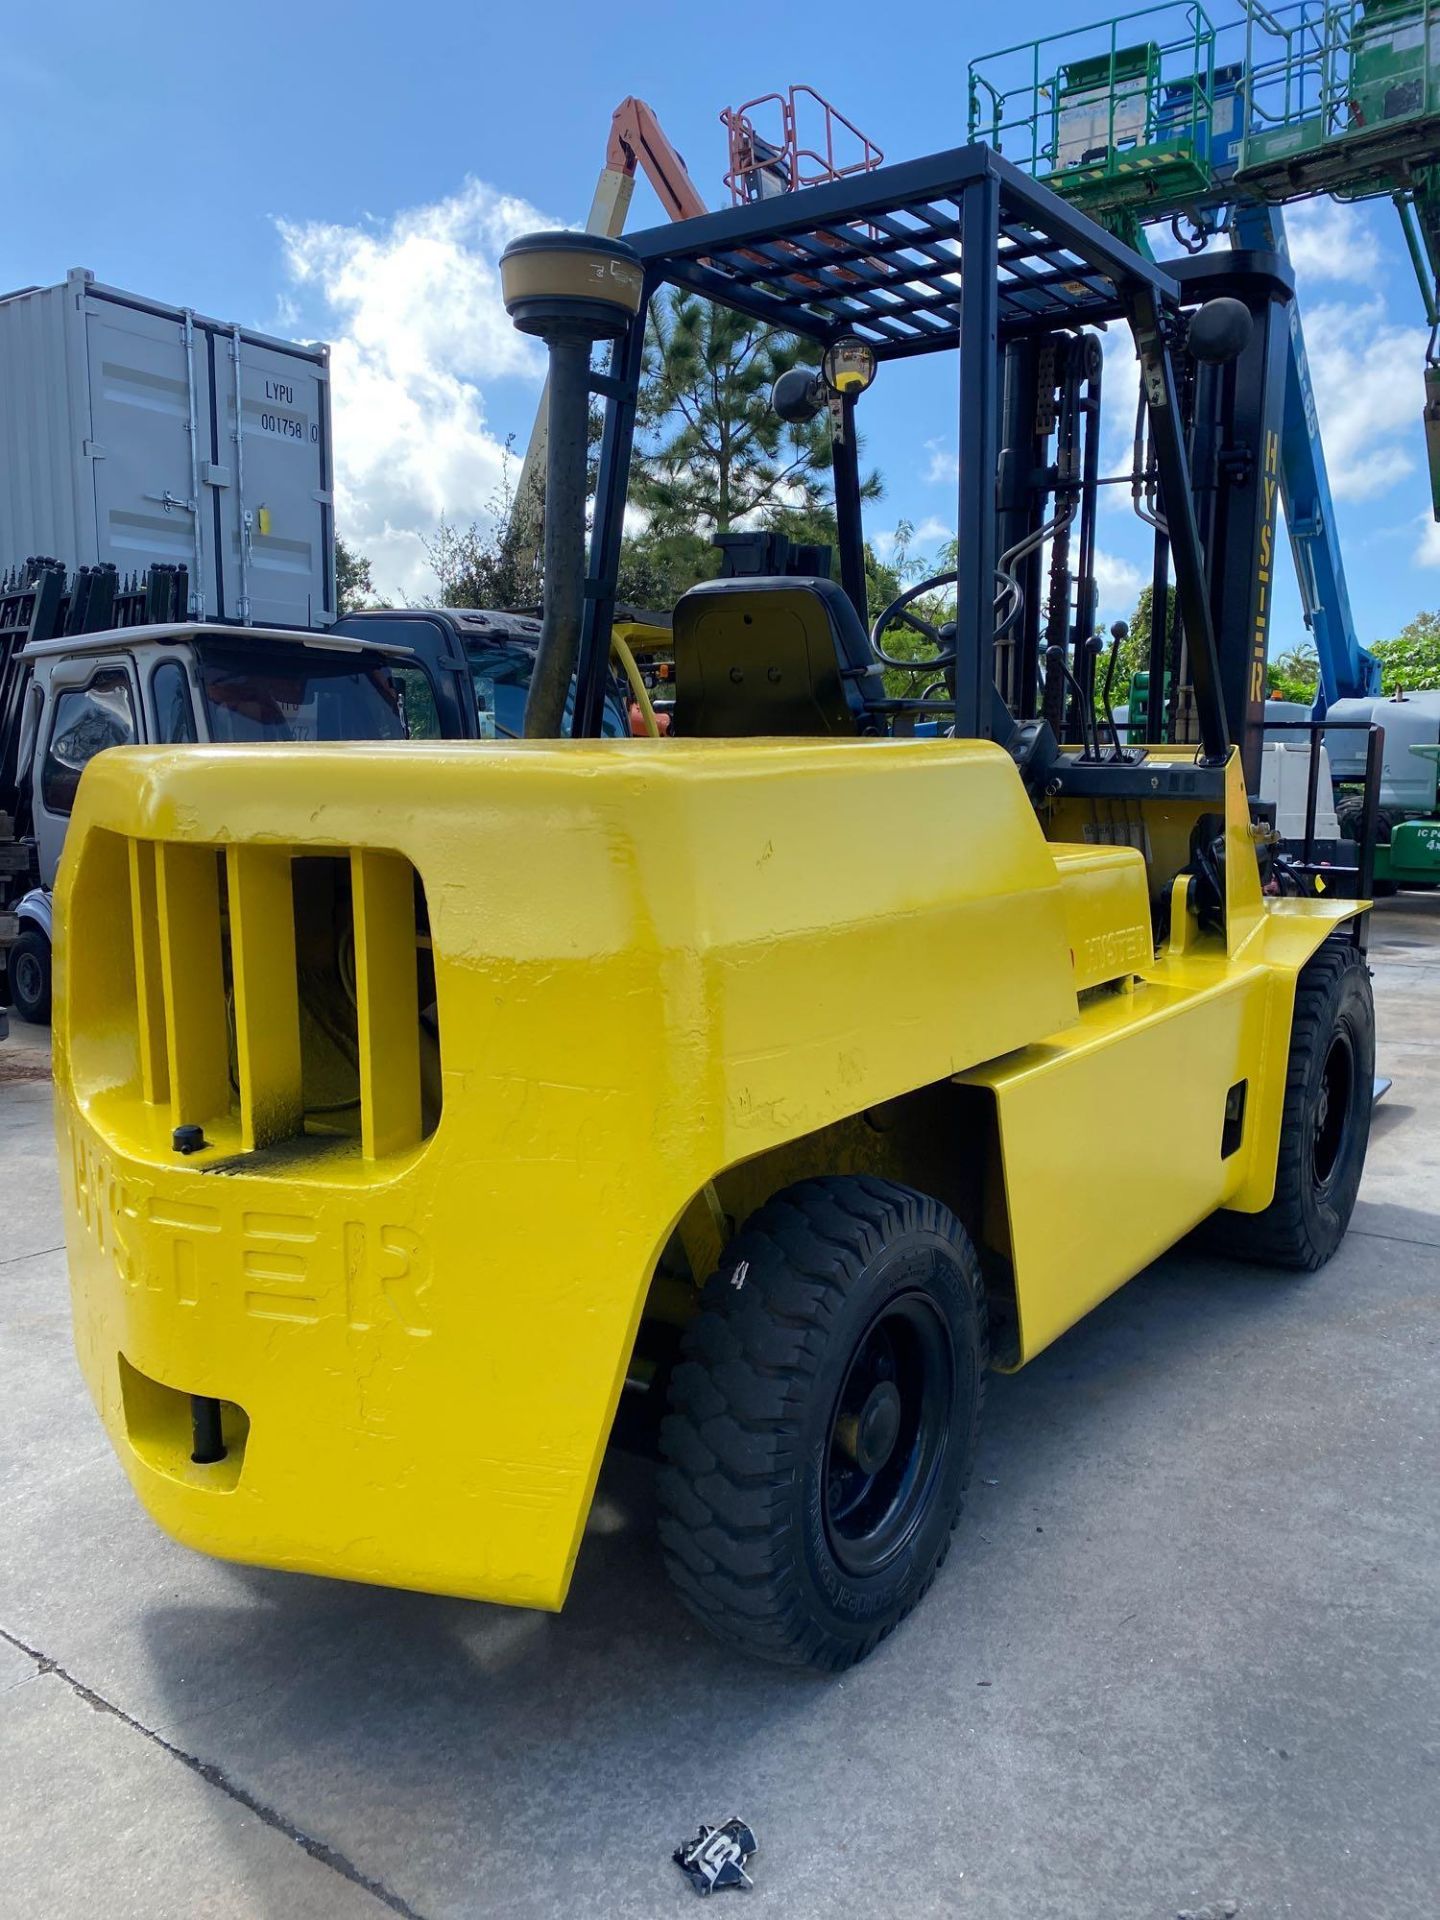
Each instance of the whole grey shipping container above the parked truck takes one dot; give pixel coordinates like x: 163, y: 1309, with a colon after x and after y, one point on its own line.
x: 122, y: 443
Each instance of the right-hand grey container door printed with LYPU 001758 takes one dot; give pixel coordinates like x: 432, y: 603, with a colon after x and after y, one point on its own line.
x: 277, y: 510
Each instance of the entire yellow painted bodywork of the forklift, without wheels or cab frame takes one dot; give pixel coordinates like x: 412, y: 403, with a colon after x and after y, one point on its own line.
x: 652, y: 961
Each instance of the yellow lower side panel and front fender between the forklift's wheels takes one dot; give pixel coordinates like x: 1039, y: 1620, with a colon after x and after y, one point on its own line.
x: 1113, y: 1132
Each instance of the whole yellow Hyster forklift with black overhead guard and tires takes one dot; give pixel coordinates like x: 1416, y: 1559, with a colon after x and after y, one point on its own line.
x: 423, y: 1105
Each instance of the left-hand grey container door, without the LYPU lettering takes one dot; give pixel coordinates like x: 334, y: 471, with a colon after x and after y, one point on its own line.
x: 141, y: 427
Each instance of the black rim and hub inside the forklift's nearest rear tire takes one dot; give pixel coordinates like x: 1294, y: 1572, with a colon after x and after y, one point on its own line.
x: 888, y: 1433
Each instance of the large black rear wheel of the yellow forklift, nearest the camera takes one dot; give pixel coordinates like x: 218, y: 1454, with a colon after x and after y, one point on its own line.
x: 823, y: 1420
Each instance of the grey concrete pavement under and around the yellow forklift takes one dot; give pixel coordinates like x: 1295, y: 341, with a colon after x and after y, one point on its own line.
x: 1184, y: 1652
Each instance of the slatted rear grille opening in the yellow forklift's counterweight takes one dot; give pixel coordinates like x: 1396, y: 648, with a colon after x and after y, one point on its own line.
x: 281, y: 1001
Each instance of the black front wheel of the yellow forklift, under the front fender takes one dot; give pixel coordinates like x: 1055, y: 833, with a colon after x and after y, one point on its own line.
x: 1326, y: 1122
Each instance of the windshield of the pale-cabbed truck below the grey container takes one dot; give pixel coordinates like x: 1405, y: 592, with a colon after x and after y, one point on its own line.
x: 297, y: 694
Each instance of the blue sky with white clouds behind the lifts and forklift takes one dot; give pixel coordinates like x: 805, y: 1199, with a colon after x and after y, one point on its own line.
x: 352, y: 172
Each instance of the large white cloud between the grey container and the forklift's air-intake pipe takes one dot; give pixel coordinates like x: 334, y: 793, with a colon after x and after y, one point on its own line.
x: 418, y: 327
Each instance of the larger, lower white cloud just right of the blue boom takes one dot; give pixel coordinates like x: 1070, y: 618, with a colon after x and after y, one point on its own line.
x: 1368, y: 395
